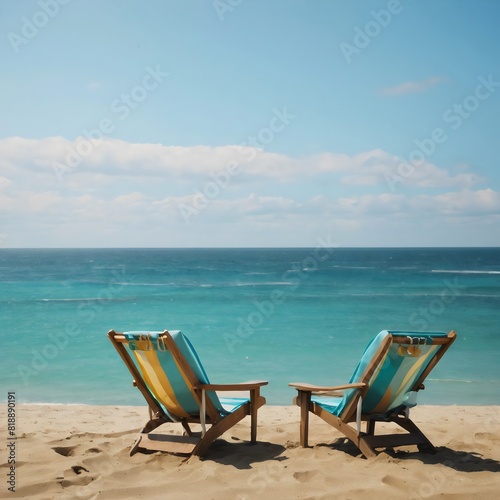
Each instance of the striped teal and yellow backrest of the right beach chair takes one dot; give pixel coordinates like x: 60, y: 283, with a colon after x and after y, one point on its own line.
x: 394, y: 364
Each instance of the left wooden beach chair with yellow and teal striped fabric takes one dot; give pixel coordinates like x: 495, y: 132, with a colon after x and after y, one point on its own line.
x: 170, y: 376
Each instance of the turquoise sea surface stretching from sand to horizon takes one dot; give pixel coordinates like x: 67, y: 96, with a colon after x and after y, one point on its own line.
x: 282, y: 315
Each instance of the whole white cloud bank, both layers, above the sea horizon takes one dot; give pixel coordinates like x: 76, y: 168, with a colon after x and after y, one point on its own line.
x: 132, y: 194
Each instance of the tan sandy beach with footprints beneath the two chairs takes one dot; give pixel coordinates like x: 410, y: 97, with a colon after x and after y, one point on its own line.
x: 77, y: 451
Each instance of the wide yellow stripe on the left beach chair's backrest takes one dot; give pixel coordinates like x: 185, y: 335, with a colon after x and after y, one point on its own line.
x: 157, y: 381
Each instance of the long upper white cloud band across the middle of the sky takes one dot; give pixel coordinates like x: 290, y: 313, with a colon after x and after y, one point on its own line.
x: 58, y: 163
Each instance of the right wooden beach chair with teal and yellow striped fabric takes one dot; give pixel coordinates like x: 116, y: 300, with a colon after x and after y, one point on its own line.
x: 382, y: 388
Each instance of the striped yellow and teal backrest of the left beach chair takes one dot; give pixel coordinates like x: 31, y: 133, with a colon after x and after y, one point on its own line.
x: 171, y: 369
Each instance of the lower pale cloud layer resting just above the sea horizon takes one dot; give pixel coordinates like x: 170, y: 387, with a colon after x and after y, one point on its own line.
x: 136, y: 220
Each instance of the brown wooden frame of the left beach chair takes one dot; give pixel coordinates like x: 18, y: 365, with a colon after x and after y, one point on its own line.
x: 188, y: 444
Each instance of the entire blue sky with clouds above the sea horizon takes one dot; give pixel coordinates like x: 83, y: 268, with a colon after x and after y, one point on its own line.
x: 249, y: 123
